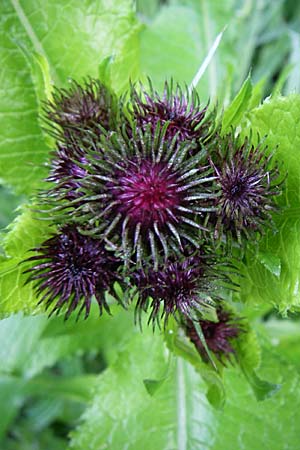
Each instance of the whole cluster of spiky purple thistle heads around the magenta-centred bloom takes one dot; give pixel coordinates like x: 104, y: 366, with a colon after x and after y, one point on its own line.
x: 145, y: 191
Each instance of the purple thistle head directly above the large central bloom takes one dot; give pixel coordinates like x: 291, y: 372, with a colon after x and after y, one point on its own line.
x: 182, y: 112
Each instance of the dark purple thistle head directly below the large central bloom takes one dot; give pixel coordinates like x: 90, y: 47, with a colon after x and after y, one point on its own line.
x: 183, y: 287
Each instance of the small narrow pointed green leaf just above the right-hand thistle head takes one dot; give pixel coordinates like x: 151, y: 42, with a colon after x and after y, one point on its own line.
x: 234, y: 113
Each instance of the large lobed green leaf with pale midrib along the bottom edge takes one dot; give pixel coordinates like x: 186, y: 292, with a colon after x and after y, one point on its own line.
x: 177, y: 415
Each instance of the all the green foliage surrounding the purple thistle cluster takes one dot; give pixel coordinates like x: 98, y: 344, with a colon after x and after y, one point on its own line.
x: 100, y: 383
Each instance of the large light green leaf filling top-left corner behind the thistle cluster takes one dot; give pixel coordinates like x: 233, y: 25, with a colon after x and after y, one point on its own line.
x: 68, y: 40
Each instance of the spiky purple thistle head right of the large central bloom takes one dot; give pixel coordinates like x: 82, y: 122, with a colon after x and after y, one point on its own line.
x: 247, y: 182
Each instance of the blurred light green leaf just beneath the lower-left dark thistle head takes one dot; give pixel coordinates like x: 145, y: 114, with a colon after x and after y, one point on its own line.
x: 62, y: 339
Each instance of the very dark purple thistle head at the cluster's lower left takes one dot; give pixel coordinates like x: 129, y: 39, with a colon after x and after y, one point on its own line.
x: 70, y: 269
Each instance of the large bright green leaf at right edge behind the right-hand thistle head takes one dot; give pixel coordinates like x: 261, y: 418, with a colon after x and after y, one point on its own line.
x: 273, y: 274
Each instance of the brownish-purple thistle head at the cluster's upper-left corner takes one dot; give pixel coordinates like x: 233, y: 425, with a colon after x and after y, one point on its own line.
x: 86, y: 107
